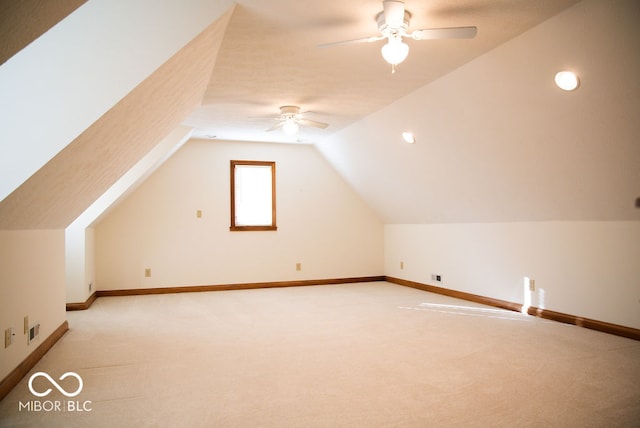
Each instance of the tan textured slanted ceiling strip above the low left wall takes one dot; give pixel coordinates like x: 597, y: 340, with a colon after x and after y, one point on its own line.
x: 61, y: 190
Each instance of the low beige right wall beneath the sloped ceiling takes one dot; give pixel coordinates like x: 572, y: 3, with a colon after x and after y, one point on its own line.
x: 587, y: 269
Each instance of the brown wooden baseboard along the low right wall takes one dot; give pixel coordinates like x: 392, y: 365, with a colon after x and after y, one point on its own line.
x: 605, y: 327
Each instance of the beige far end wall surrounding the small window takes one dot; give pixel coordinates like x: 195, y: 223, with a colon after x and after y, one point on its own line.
x: 322, y: 224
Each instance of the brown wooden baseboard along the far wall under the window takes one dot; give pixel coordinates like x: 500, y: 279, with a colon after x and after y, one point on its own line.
x: 245, y: 286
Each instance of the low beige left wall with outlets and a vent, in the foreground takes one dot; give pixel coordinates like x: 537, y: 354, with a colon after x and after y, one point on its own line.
x: 32, y: 283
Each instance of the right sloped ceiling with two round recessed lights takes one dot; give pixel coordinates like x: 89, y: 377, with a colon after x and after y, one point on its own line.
x: 497, y: 141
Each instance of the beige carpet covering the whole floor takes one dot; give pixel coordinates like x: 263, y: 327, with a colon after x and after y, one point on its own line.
x: 353, y: 355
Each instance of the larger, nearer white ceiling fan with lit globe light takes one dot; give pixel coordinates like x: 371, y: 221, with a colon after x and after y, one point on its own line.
x: 393, y: 23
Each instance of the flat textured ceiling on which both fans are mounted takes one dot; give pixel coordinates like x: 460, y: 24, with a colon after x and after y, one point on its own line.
x: 269, y: 58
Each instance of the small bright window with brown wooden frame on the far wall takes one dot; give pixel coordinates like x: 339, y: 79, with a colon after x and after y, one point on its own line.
x: 253, y: 195
